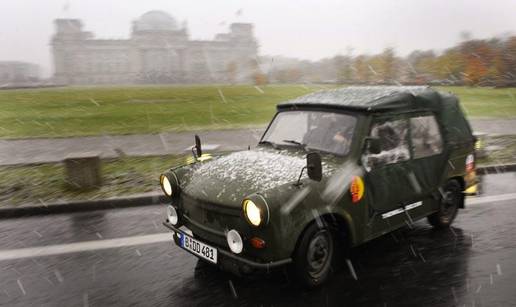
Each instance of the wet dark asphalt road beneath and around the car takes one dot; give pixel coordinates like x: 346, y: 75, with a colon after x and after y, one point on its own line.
x: 472, y: 264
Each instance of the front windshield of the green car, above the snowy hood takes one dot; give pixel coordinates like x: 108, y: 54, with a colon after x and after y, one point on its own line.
x: 323, y: 131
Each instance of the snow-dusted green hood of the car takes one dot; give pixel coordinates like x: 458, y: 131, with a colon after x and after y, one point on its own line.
x: 227, y: 179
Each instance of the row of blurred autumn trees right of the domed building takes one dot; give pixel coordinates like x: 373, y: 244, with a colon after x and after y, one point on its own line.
x: 473, y: 62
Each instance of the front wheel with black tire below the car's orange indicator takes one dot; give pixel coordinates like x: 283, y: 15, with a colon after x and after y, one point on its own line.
x: 314, y: 256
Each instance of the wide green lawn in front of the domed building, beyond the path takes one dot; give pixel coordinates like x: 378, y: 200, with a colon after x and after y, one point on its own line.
x: 80, y: 111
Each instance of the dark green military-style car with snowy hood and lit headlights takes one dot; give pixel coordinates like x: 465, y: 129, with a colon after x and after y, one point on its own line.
x: 334, y: 169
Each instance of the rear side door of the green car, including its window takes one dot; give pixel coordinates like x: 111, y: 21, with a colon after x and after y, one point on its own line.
x: 428, y: 160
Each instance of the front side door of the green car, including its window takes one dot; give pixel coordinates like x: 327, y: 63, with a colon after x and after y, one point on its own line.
x: 387, y: 172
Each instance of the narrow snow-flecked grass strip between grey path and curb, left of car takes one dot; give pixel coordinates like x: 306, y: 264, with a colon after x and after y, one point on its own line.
x: 46, y: 183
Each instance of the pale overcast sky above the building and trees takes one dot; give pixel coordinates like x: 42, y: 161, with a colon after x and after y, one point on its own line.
x: 309, y: 29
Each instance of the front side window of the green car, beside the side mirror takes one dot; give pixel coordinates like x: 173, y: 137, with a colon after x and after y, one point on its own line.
x: 394, y: 147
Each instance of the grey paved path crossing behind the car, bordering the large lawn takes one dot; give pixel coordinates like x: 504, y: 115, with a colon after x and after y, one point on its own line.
x: 26, y: 151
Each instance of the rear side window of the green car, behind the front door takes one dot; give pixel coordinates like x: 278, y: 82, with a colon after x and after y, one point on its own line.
x: 426, y: 138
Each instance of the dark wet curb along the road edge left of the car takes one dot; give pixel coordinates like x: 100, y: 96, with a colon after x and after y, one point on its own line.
x: 83, y: 206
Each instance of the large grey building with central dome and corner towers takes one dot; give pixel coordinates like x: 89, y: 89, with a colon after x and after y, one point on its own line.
x: 158, y: 51
